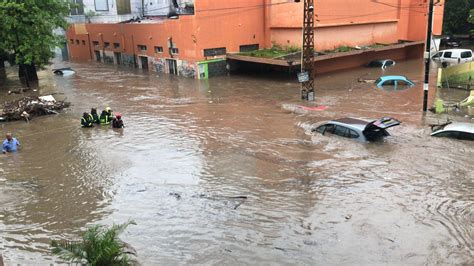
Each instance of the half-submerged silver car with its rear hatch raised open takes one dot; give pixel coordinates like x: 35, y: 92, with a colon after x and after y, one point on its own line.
x: 358, y: 129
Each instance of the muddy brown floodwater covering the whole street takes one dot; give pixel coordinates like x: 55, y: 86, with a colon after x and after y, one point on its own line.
x: 190, y: 146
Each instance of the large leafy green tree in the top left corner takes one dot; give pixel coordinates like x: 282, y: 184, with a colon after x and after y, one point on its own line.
x: 28, y: 31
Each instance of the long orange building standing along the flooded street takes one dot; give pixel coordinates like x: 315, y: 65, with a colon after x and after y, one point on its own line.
x: 196, y: 45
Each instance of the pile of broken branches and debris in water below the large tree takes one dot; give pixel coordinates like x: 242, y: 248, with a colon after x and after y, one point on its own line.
x: 28, y: 107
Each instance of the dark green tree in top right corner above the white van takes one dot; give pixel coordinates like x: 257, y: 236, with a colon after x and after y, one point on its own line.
x: 456, y: 13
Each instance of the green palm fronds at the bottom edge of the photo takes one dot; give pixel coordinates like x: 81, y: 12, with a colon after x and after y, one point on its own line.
x: 100, y: 246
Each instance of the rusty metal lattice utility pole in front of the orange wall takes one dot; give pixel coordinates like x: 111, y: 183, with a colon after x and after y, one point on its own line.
x: 307, y: 58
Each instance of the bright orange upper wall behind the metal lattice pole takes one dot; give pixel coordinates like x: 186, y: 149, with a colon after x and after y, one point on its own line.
x: 351, y: 22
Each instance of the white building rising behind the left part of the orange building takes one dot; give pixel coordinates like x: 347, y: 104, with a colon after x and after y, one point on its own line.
x: 113, y: 11
